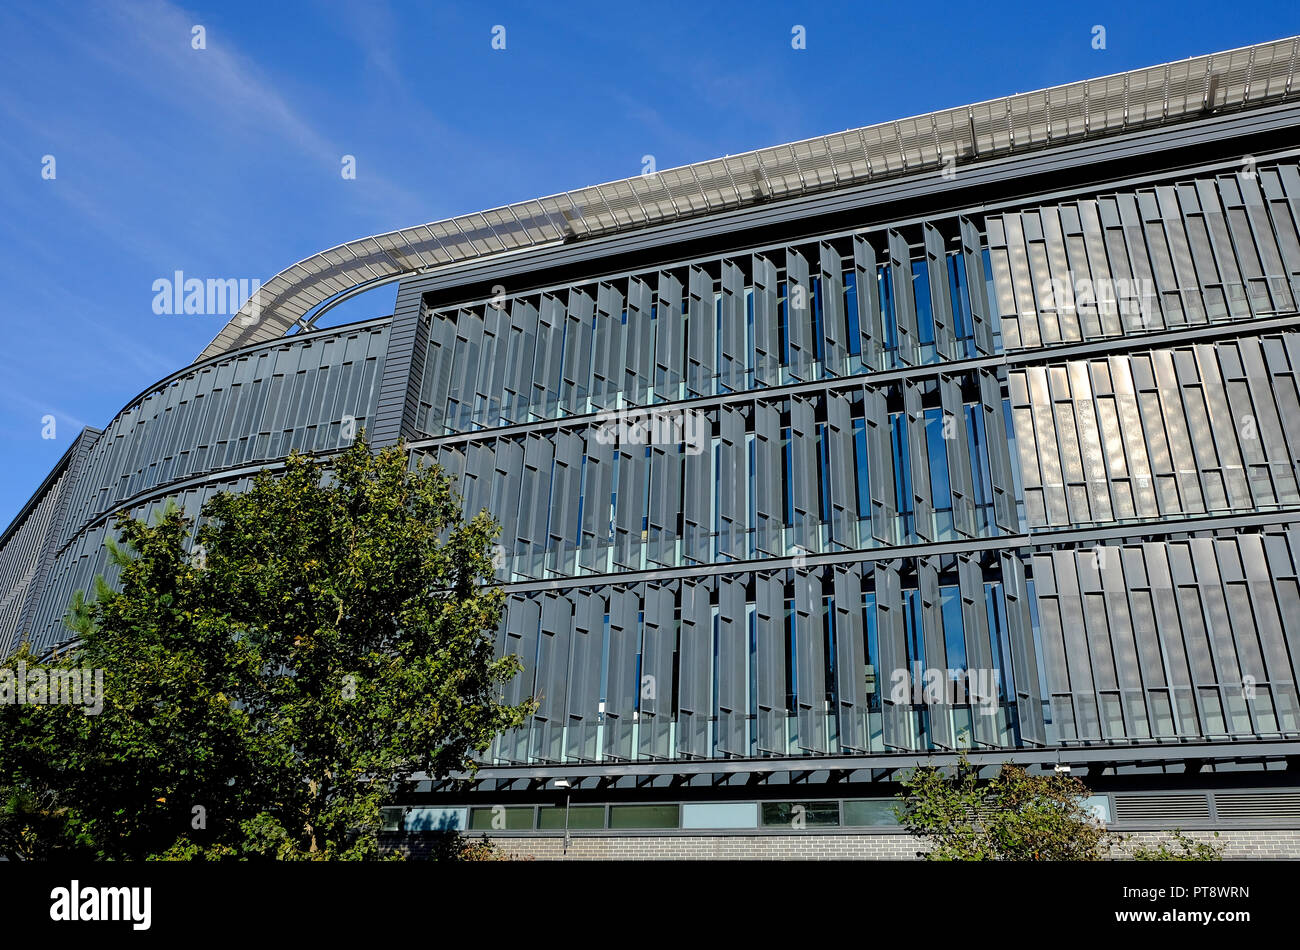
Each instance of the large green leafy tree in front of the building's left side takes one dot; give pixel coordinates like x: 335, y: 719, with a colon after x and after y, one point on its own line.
x: 267, y: 689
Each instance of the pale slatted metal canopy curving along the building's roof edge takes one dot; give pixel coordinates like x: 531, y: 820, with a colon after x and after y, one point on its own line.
x: 1154, y: 96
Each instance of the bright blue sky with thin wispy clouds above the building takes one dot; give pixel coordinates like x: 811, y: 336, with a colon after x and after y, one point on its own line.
x: 128, y: 154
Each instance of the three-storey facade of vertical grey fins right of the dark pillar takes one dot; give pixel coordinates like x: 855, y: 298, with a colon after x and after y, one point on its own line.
x: 837, y: 466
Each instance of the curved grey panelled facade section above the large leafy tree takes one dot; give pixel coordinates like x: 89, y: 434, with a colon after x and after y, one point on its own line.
x: 206, y: 430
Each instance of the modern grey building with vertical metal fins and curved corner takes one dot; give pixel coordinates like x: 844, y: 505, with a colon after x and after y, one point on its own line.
x: 972, y: 431
